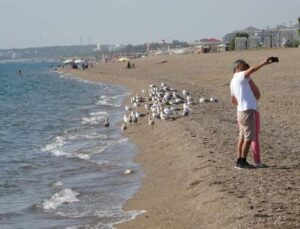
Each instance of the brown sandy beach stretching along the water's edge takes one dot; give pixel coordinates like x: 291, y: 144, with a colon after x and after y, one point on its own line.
x: 190, y: 180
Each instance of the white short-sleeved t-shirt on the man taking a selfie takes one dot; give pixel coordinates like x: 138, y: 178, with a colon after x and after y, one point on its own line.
x: 241, y: 90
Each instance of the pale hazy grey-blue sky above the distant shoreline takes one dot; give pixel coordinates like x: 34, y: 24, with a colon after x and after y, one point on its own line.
x: 38, y: 23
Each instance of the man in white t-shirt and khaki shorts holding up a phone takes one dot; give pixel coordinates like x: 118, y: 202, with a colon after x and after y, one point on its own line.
x: 243, y: 95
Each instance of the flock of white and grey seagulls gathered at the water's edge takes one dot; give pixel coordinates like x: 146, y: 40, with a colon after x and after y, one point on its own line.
x: 160, y: 102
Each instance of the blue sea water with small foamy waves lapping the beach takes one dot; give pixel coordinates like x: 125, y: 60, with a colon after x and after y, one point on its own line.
x: 59, y: 166
